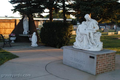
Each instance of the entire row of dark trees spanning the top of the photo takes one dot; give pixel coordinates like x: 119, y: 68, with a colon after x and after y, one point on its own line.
x: 101, y: 10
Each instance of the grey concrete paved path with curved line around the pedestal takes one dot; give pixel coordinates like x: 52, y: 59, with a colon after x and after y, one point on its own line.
x: 45, y: 63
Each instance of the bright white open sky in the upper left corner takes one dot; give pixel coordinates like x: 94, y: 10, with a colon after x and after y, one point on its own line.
x: 5, y: 9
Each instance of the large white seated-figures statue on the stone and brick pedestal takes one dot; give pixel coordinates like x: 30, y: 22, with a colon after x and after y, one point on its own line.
x: 86, y: 36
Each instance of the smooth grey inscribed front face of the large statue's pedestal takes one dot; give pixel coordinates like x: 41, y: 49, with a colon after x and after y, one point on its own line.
x: 79, y: 60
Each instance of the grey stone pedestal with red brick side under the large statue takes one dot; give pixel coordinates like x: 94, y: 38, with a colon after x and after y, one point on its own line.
x: 94, y: 62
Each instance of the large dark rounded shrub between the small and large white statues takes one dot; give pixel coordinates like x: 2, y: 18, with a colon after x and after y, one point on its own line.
x: 56, y: 34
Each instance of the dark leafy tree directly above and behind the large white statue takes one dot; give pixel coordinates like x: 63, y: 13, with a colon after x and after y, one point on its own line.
x: 101, y: 10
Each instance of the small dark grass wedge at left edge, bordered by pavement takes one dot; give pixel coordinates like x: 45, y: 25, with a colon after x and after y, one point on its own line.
x: 6, y: 56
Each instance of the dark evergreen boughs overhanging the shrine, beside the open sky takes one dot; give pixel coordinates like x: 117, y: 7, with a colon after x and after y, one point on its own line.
x: 28, y: 7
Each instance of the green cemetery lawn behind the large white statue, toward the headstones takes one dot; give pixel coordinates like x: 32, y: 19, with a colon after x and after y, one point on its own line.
x: 109, y: 42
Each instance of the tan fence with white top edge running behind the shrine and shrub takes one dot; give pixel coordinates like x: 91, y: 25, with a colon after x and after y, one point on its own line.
x: 7, y: 25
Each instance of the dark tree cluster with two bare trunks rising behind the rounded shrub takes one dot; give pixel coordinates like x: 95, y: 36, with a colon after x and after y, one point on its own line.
x: 57, y: 5
